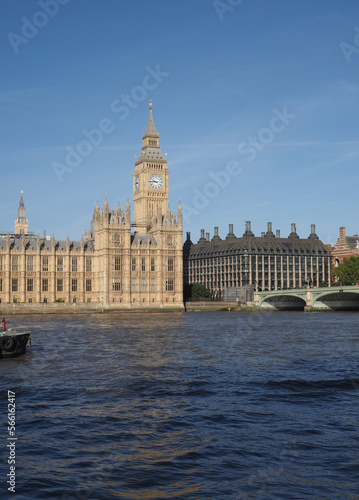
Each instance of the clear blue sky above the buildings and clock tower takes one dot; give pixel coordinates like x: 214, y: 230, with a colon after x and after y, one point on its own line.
x: 256, y: 104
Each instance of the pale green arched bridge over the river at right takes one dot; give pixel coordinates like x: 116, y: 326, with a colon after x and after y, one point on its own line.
x: 343, y: 298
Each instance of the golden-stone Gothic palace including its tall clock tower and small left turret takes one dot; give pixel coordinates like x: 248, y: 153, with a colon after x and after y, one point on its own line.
x: 117, y: 263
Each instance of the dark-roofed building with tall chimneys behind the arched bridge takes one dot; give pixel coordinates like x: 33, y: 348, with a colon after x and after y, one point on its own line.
x: 268, y: 262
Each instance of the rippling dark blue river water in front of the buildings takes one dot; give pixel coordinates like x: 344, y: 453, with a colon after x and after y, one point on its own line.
x: 185, y: 406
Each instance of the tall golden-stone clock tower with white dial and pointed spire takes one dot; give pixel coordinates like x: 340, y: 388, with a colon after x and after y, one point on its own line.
x: 150, y: 180
